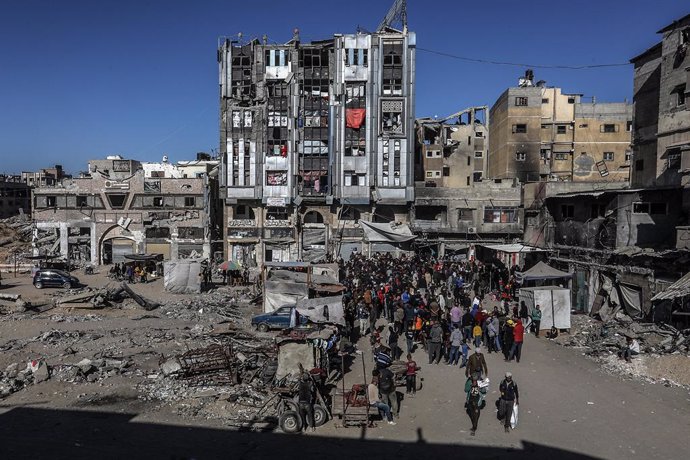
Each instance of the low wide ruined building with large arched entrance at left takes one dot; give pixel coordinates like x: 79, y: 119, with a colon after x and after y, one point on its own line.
x: 121, y: 207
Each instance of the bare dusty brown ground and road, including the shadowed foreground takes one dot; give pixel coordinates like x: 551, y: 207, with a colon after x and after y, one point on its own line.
x: 570, y: 406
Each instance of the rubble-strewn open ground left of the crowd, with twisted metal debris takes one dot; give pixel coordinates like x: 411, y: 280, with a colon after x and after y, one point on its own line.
x: 117, y: 353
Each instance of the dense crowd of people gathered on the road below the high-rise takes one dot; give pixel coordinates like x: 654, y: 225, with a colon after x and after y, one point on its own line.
x: 437, y: 305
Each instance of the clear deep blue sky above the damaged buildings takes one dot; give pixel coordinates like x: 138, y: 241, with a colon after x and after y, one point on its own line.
x: 86, y: 79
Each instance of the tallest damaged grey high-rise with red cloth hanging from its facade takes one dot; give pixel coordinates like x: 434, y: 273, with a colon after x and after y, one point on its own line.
x: 313, y: 137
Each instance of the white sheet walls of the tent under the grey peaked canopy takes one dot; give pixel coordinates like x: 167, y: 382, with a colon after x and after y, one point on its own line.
x: 554, y: 303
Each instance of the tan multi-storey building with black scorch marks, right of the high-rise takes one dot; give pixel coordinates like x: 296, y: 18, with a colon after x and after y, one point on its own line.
x: 540, y: 133
